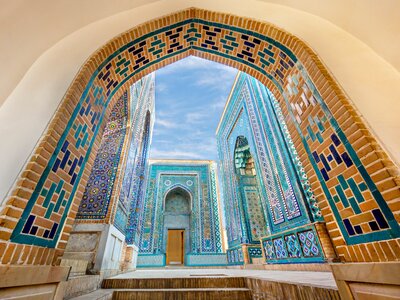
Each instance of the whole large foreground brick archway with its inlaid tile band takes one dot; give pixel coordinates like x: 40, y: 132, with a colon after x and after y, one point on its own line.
x: 329, y: 137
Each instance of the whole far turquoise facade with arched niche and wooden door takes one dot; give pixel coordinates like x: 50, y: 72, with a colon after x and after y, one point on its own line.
x: 181, y: 195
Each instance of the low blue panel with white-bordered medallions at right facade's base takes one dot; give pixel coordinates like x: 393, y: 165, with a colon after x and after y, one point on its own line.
x: 294, y: 246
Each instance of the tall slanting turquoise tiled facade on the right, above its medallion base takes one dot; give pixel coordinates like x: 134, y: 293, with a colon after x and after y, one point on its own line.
x: 250, y: 117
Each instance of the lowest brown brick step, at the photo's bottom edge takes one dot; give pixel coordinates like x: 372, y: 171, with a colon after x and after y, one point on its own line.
x: 183, y: 294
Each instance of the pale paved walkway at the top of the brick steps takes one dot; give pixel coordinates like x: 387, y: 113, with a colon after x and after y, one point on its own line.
x: 317, y: 279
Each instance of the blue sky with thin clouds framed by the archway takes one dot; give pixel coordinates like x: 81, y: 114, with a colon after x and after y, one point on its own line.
x: 190, y: 98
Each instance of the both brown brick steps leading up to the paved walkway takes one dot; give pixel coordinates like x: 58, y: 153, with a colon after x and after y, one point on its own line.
x: 190, y: 288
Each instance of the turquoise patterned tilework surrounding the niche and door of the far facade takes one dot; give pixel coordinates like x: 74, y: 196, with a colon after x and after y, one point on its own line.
x: 198, y: 180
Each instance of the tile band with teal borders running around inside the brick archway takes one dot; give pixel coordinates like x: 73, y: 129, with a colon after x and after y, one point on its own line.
x: 362, y: 214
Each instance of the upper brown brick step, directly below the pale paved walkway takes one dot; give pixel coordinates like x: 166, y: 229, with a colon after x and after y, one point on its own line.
x: 175, y: 283
